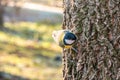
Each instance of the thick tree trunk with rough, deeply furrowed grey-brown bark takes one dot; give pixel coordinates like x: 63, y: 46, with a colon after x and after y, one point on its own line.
x: 97, y: 26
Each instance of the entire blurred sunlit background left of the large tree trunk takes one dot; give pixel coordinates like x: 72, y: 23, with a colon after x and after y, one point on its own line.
x: 27, y: 50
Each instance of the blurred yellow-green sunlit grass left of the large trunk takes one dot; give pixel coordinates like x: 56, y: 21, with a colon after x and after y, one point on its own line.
x: 28, y: 48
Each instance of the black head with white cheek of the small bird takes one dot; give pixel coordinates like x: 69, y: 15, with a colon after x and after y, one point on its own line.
x: 69, y: 38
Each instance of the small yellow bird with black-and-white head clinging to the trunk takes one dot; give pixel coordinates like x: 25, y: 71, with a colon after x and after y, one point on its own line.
x: 64, y: 38
